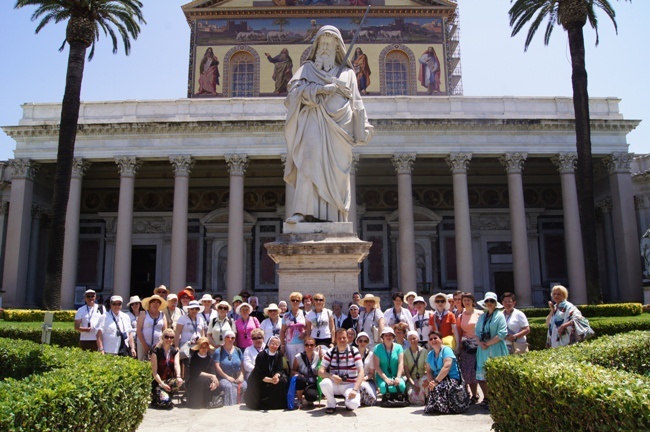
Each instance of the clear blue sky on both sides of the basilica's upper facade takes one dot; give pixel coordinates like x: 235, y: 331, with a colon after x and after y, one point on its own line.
x: 493, y: 63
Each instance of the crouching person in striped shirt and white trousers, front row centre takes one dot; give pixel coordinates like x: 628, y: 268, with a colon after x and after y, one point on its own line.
x: 342, y: 373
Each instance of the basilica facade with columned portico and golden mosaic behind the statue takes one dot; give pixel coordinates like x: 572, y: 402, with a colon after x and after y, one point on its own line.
x: 479, y: 193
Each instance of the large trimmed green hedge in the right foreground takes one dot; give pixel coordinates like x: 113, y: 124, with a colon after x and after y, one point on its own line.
x: 594, y: 386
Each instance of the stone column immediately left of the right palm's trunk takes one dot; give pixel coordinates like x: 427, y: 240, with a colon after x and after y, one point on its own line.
x: 566, y: 163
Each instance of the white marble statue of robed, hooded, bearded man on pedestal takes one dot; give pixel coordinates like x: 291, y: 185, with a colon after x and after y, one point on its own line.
x: 325, y: 120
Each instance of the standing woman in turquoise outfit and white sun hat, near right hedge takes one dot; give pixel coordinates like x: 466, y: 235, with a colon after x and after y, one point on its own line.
x: 492, y: 330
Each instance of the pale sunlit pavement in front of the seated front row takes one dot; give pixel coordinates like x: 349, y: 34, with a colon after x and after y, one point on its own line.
x: 239, y: 418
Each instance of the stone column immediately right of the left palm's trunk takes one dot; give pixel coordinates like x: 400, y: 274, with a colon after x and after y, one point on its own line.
x: 71, y: 243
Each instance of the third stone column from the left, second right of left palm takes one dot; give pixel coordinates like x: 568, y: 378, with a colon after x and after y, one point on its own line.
x: 128, y: 167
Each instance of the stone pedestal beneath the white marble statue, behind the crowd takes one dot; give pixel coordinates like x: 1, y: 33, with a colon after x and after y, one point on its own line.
x: 318, y: 257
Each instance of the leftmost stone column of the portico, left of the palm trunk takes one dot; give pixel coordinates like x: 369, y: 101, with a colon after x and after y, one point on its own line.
x: 14, y: 280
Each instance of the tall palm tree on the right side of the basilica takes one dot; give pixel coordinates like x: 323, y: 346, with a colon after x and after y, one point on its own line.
x: 572, y: 15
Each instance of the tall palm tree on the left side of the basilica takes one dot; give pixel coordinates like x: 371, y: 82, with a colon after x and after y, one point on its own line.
x: 86, y: 18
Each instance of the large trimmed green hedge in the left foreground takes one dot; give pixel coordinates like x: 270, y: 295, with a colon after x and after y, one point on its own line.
x: 69, y: 389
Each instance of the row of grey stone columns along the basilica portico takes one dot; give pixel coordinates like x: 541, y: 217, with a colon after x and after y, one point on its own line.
x: 622, y: 226
